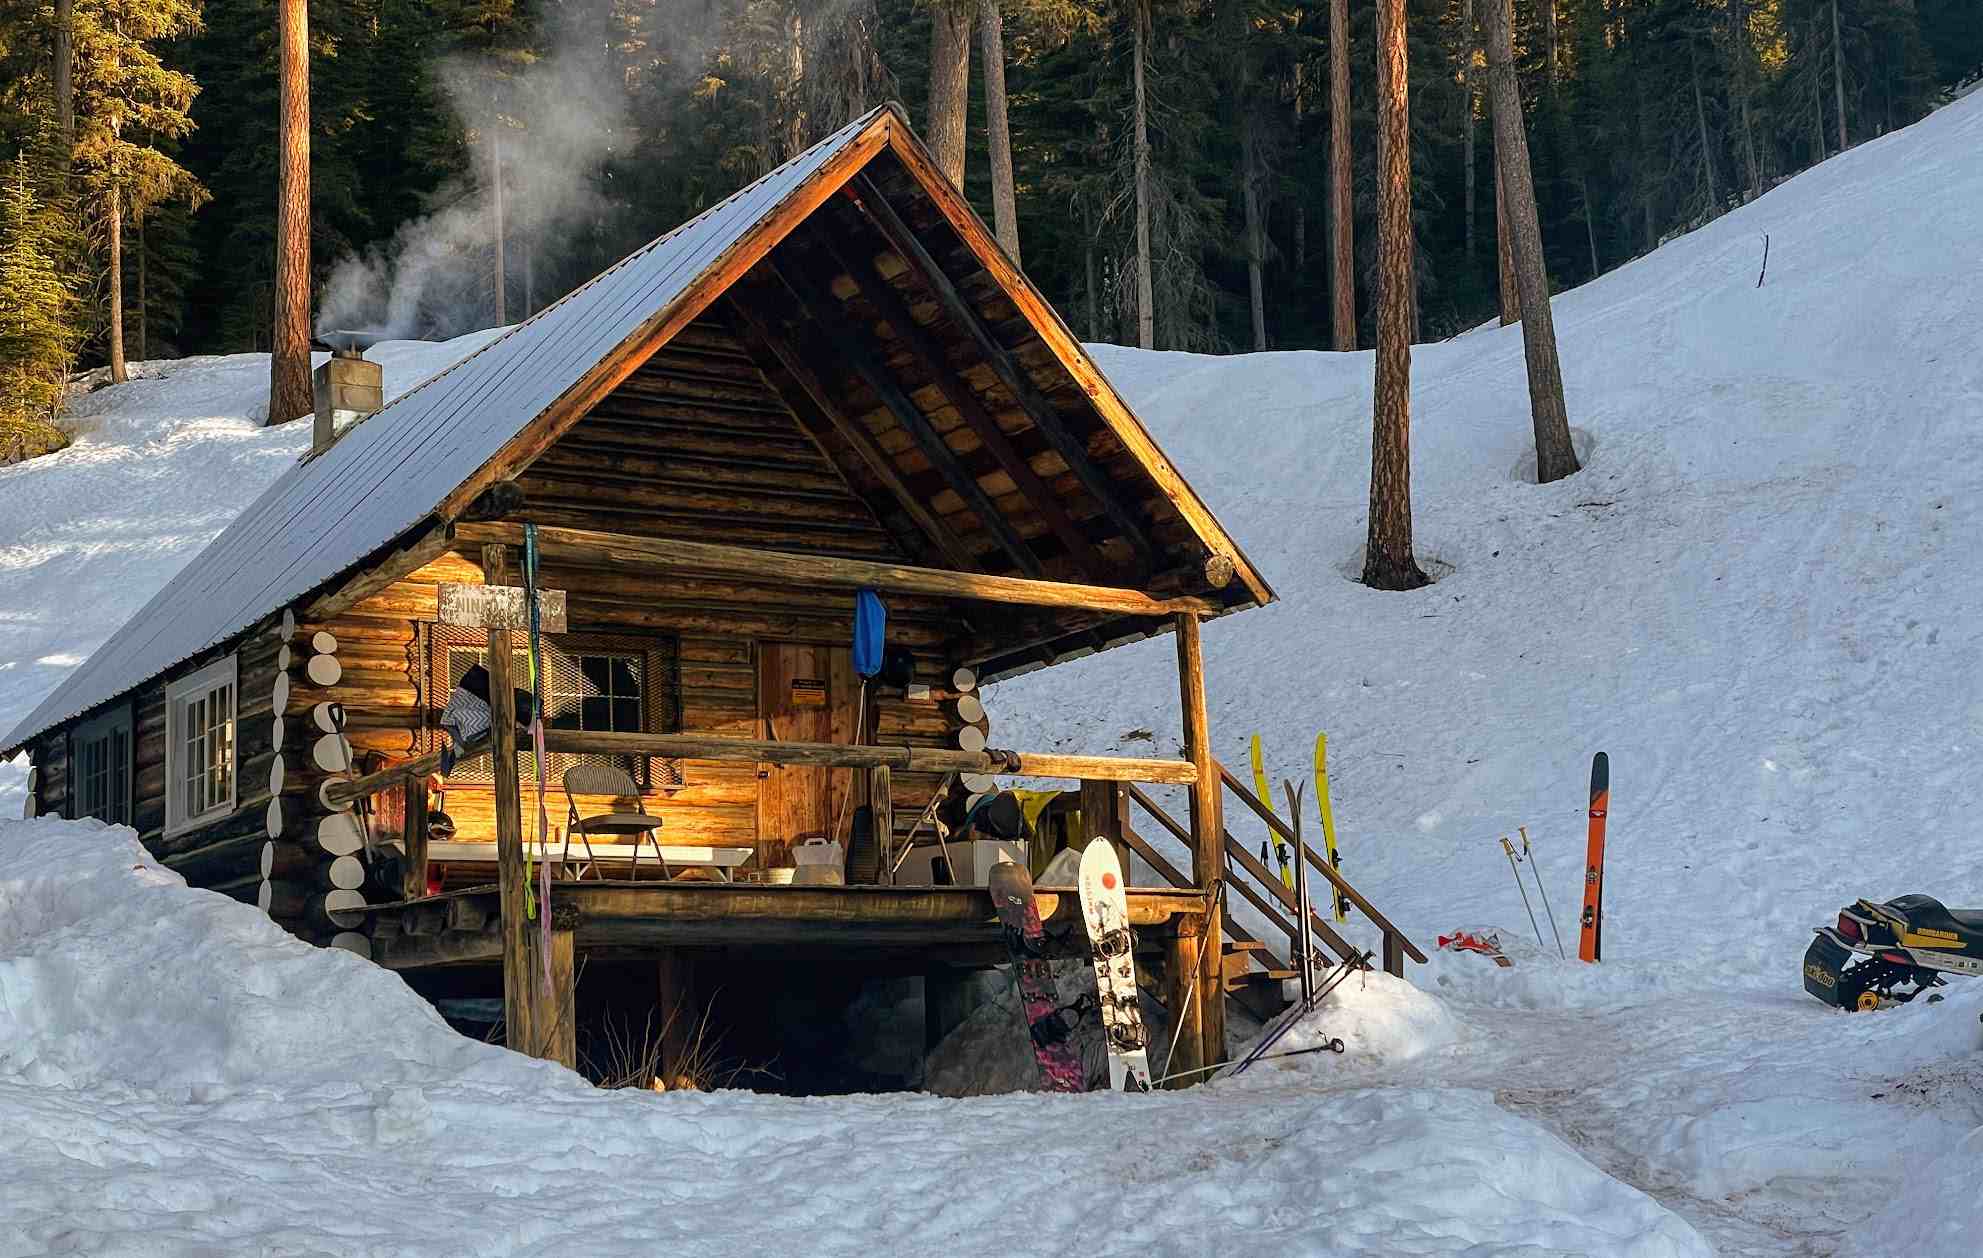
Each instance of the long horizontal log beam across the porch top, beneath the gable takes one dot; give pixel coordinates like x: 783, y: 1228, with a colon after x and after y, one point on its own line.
x: 622, y: 551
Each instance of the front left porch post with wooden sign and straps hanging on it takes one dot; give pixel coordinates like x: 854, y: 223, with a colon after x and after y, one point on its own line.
x: 528, y: 1009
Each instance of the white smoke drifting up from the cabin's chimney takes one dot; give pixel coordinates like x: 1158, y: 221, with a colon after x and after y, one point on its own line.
x: 554, y: 124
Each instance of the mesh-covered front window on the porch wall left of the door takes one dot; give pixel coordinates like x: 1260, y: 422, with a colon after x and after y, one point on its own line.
x: 622, y: 686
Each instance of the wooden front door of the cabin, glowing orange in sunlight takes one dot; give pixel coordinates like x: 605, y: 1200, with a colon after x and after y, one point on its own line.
x: 806, y: 693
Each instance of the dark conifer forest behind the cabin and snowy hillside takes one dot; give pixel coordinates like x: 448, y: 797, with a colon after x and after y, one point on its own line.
x: 1165, y: 170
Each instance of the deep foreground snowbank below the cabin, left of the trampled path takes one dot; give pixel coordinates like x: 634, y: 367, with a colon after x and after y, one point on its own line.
x: 177, y: 1076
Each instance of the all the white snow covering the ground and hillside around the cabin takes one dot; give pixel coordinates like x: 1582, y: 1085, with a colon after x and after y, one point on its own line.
x: 1760, y: 596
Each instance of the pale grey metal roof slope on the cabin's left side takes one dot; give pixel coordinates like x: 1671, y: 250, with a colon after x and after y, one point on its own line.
x: 392, y: 471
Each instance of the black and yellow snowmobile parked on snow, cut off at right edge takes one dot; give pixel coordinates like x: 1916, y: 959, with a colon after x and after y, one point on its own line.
x: 1907, y: 942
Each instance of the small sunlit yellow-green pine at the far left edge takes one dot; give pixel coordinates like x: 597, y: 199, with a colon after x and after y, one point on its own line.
x: 37, y: 320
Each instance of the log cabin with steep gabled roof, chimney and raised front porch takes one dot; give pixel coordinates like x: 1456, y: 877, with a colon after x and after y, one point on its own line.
x: 830, y: 382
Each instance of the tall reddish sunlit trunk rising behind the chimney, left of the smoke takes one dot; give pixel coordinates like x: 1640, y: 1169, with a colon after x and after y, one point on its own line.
x: 289, y: 366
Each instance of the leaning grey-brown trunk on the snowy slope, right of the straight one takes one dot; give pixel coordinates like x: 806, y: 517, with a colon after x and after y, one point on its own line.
x: 1554, y: 453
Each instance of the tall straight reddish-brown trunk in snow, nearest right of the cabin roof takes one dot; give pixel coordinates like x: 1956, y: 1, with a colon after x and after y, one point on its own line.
x: 1389, y: 561
